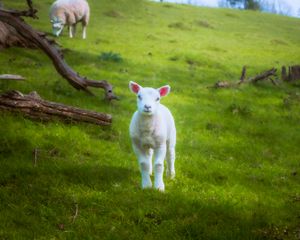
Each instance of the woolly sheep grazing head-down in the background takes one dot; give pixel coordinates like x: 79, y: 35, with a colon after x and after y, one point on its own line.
x: 69, y: 12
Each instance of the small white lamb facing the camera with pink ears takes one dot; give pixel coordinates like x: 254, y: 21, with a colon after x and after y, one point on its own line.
x: 152, y: 129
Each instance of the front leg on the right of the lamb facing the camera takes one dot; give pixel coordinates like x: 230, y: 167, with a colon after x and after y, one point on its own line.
x: 160, y: 154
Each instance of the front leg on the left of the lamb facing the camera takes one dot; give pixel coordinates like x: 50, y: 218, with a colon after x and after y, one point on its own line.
x: 144, y: 158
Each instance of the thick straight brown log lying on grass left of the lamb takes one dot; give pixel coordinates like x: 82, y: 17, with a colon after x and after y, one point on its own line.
x: 33, y: 106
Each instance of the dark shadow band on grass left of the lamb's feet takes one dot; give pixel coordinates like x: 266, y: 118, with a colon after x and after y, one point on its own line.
x: 99, y: 178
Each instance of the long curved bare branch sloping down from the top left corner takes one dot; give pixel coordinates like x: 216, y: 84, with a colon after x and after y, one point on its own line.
x: 38, y: 39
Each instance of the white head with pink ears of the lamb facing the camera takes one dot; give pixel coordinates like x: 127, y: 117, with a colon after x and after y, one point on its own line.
x: 148, y: 99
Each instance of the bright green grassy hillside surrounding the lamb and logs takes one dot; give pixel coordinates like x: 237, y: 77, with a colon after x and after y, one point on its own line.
x: 238, y: 163
